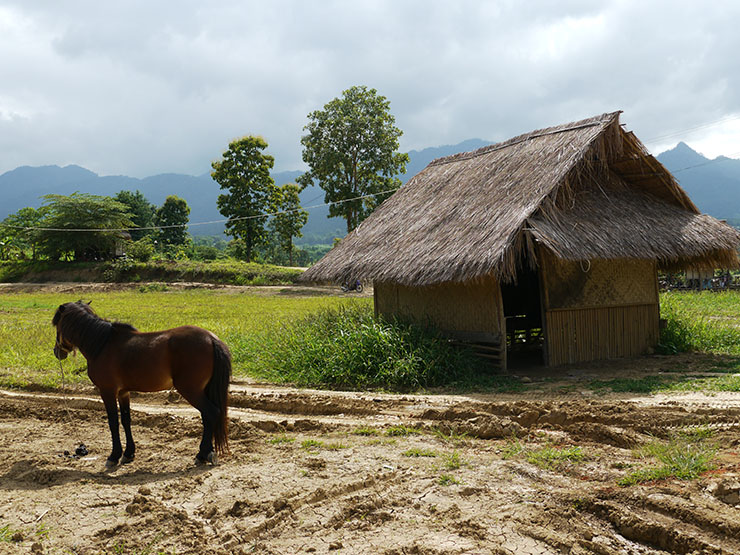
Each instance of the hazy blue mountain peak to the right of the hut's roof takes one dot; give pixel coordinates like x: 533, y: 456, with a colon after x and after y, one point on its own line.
x: 713, y: 185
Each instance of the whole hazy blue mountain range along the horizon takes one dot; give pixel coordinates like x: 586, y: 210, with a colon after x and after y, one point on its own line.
x: 713, y: 185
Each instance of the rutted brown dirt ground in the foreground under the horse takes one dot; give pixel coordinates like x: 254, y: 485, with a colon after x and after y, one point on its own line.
x: 328, y: 472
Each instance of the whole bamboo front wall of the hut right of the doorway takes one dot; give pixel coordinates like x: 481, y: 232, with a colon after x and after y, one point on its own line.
x: 603, y: 309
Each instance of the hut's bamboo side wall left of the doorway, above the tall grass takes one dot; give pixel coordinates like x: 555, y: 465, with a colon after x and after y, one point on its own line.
x: 455, y: 307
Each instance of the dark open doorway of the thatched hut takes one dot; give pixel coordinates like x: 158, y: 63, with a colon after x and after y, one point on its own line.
x: 523, y: 314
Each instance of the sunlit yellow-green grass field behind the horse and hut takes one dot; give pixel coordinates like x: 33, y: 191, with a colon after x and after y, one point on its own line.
x: 703, y: 322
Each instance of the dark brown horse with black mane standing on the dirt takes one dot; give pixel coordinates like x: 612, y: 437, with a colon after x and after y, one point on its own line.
x: 121, y: 359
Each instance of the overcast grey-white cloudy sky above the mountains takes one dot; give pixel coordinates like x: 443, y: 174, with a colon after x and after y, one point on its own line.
x: 147, y: 87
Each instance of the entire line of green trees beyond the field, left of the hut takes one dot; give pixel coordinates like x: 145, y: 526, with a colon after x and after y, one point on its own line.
x: 351, y: 151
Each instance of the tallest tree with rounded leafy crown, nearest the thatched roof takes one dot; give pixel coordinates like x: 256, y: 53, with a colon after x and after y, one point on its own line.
x: 351, y: 150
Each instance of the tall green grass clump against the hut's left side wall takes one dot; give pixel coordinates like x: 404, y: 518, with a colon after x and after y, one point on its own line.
x: 348, y: 348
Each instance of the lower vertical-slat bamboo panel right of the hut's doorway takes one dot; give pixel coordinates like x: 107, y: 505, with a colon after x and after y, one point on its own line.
x: 599, y: 333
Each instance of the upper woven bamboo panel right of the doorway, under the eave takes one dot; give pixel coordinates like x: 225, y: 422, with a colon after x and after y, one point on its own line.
x: 599, y: 283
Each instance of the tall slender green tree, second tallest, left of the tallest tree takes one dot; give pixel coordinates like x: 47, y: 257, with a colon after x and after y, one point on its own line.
x: 244, y: 170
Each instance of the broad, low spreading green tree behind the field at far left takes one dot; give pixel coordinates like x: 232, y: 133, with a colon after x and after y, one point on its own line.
x: 65, y: 215
